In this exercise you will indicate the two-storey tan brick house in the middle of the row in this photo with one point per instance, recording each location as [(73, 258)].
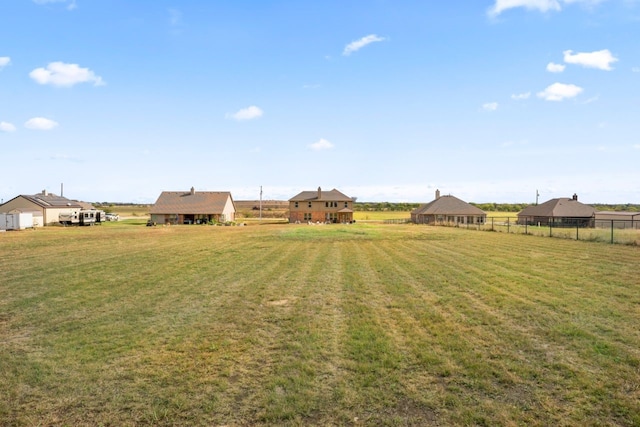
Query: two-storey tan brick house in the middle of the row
[(321, 206)]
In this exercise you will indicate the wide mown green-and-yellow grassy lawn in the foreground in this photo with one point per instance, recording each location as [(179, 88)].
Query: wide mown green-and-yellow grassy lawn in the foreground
[(363, 324)]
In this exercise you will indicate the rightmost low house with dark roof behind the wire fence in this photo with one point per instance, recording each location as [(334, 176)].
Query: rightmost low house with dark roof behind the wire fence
[(560, 212)]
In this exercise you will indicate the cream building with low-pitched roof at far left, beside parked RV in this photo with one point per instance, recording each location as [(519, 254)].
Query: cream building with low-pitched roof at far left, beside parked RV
[(45, 207)]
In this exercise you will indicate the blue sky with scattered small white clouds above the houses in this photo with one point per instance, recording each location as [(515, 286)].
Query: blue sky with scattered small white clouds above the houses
[(488, 100)]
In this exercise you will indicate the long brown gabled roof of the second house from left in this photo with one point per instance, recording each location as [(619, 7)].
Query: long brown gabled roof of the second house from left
[(191, 202)]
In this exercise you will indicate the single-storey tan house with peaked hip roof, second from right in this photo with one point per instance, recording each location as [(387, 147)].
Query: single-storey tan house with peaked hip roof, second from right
[(447, 210)]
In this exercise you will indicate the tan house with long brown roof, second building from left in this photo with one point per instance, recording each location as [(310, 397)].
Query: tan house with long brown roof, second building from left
[(193, 207)]
